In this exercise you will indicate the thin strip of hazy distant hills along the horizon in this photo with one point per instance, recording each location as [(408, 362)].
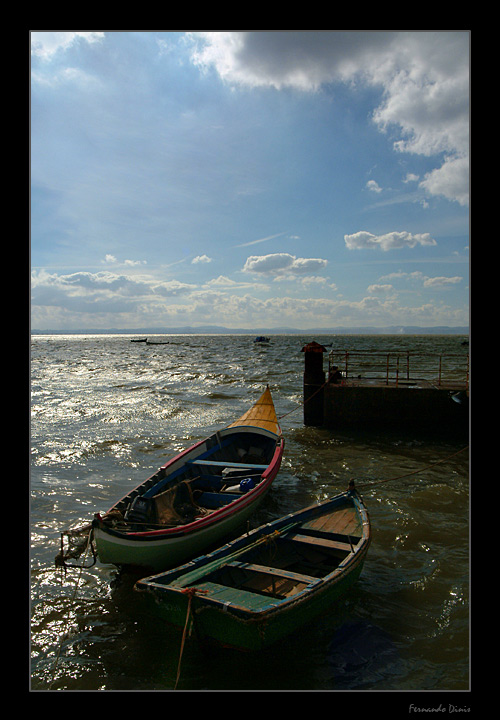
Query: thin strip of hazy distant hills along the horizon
[(216, 329)]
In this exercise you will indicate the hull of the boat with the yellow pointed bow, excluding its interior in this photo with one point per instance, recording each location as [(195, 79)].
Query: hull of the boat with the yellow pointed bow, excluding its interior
[(169, 546)]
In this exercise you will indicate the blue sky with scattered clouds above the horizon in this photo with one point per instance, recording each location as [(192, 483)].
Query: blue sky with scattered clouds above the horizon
[(302, 179)]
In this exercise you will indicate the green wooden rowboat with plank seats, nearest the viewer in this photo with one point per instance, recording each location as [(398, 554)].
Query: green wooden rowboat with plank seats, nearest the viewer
[(264, 585)]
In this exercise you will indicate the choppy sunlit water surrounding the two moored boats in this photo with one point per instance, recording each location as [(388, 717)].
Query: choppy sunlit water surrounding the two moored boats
[(107, 412)]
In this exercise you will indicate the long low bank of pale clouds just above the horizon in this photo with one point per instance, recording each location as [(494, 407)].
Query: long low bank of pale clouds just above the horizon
[(91, 300)]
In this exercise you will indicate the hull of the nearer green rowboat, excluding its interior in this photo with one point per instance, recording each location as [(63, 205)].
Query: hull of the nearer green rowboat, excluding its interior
[(250, 620)]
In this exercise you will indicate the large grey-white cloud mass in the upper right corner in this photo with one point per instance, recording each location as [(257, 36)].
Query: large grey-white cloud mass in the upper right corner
[(424, 78)]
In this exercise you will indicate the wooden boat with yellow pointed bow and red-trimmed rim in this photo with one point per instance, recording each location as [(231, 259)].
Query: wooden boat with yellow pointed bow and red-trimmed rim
[(195, 500)]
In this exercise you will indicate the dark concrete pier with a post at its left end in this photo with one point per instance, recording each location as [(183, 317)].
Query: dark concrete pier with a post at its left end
[(393, 400)]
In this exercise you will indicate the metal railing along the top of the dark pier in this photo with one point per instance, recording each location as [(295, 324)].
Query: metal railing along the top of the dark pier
[(443, 370)]
